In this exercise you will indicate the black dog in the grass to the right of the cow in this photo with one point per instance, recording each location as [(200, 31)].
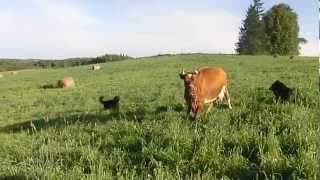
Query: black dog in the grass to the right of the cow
[(281, 91)]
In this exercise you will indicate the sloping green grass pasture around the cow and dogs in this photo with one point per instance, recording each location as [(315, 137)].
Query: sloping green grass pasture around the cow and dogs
[(65, 134)]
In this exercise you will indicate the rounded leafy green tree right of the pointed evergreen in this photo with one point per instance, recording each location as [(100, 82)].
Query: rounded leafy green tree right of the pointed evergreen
[(282, 29)]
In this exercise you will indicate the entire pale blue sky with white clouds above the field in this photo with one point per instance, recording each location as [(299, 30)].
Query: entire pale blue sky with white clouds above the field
[(82, 28)]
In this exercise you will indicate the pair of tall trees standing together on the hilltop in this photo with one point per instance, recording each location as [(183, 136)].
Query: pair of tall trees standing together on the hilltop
[(272, 32)]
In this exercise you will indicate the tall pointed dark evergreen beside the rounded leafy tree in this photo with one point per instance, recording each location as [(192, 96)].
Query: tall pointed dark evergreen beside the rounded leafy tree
[(252, 37)]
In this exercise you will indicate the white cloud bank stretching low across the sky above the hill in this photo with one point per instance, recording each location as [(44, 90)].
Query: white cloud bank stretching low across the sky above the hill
[(60, 30)]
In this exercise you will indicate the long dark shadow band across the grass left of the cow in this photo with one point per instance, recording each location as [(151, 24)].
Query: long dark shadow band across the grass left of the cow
[(138, 115)]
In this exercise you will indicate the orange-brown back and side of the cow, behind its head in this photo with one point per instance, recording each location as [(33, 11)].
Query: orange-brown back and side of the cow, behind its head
[(210, 82)]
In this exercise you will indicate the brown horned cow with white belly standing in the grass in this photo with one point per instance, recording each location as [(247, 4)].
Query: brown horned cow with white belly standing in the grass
[(203, 86)]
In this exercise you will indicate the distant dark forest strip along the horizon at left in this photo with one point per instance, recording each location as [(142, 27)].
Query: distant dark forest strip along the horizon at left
[(18, 64)]
